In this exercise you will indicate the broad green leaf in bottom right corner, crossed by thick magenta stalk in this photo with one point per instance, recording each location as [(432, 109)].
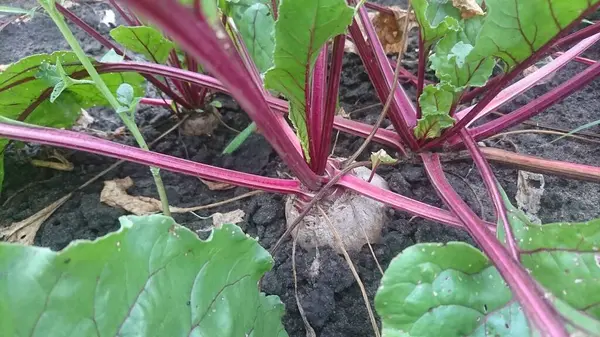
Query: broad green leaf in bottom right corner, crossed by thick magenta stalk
[(454, 290)]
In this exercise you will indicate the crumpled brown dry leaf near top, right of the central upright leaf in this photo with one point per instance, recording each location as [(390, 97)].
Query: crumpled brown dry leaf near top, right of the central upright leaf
[(390, 29)]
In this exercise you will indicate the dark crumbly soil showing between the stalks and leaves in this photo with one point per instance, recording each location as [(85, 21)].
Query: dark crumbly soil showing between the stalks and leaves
[(330, 297)]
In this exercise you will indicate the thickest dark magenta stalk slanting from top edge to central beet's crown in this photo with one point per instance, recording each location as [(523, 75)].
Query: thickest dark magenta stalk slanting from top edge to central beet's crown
[(197, 37)]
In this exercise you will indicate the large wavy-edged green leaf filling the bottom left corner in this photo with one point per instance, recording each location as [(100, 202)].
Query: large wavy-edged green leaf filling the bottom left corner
[(151, 278)]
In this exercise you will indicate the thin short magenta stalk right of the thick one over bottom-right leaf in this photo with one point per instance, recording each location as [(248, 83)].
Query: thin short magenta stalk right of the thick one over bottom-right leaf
[(492, 187)]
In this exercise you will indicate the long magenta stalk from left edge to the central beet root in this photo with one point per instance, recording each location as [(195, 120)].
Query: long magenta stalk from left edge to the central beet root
[(82, 142)]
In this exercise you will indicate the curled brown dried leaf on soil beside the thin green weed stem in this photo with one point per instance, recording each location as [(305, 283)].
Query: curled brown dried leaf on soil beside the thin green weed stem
[(115, 194)]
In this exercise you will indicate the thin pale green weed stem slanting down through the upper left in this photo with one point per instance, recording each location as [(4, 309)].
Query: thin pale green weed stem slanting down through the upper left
[(49, 6)]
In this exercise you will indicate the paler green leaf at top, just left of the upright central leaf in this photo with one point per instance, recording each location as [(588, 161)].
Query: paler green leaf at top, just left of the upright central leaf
[(256, 24)]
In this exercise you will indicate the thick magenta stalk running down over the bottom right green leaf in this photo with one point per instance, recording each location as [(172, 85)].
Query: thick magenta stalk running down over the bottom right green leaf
[(543, 315)]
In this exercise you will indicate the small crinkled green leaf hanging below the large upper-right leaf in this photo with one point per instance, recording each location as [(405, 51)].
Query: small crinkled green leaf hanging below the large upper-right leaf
[(435, 103)]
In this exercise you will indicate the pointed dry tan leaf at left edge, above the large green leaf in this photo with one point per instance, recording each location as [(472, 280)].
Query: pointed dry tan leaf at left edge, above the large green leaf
[(24, 232)]
